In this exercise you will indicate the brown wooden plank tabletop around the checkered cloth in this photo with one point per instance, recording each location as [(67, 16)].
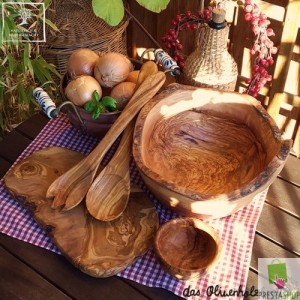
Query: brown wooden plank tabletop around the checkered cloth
[(30, 272)]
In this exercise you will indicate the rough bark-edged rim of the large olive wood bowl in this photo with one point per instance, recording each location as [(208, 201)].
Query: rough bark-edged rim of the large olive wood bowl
[(256, 185)]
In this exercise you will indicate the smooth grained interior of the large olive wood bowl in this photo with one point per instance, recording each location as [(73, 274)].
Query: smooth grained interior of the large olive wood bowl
[(206, 142)]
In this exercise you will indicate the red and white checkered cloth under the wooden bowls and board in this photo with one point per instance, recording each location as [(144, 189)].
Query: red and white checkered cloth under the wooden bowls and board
[(236, 231)]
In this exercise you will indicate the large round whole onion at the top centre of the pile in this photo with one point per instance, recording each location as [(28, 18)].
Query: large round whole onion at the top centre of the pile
[(112, 68)]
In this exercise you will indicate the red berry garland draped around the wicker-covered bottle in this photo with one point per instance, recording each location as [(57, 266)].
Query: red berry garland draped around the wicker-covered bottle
[(262, 50)]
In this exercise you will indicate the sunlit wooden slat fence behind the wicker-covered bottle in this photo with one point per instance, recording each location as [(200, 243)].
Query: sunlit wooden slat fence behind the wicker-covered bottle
[(282, 96)]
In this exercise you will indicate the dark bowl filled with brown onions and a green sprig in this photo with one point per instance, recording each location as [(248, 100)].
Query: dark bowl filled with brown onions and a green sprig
[(105, 74)]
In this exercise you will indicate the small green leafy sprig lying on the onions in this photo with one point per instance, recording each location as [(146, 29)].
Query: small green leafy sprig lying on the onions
[(96, 106)]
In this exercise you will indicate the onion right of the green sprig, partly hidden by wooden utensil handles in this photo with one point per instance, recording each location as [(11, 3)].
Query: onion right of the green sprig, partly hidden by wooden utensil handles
[(122, 93)]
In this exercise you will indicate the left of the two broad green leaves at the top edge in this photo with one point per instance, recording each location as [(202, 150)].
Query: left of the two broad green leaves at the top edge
[(111, 11)]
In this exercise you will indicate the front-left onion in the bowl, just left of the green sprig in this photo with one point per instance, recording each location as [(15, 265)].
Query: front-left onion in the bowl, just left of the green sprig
[(80, 90)]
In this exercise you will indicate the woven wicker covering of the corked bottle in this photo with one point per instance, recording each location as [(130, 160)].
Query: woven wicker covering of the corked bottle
[(211, 65)]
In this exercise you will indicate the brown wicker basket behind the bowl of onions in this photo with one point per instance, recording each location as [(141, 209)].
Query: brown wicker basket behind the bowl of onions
[(80, 28)]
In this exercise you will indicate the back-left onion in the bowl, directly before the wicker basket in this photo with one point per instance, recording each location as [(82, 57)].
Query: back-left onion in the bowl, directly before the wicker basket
[(82, 62)]
